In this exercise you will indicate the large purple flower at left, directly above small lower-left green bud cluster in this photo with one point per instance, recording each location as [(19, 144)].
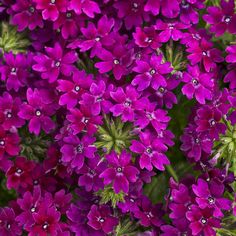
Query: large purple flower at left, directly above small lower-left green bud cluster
[(38, 111)]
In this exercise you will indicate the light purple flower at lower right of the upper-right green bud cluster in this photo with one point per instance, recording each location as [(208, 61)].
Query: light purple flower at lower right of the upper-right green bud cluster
[(198, 84)]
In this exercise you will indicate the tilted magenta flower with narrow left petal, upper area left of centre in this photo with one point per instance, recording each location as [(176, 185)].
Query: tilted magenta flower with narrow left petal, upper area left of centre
[(96, 38)]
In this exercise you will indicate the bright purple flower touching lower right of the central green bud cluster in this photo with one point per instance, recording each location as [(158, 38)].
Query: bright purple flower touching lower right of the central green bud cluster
[(151, 151)]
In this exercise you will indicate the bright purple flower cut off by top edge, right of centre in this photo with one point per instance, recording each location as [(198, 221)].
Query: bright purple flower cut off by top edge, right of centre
[(169, 8)]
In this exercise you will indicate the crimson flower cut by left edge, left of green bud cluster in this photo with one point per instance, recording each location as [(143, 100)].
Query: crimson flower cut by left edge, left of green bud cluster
[(9, 143)]
